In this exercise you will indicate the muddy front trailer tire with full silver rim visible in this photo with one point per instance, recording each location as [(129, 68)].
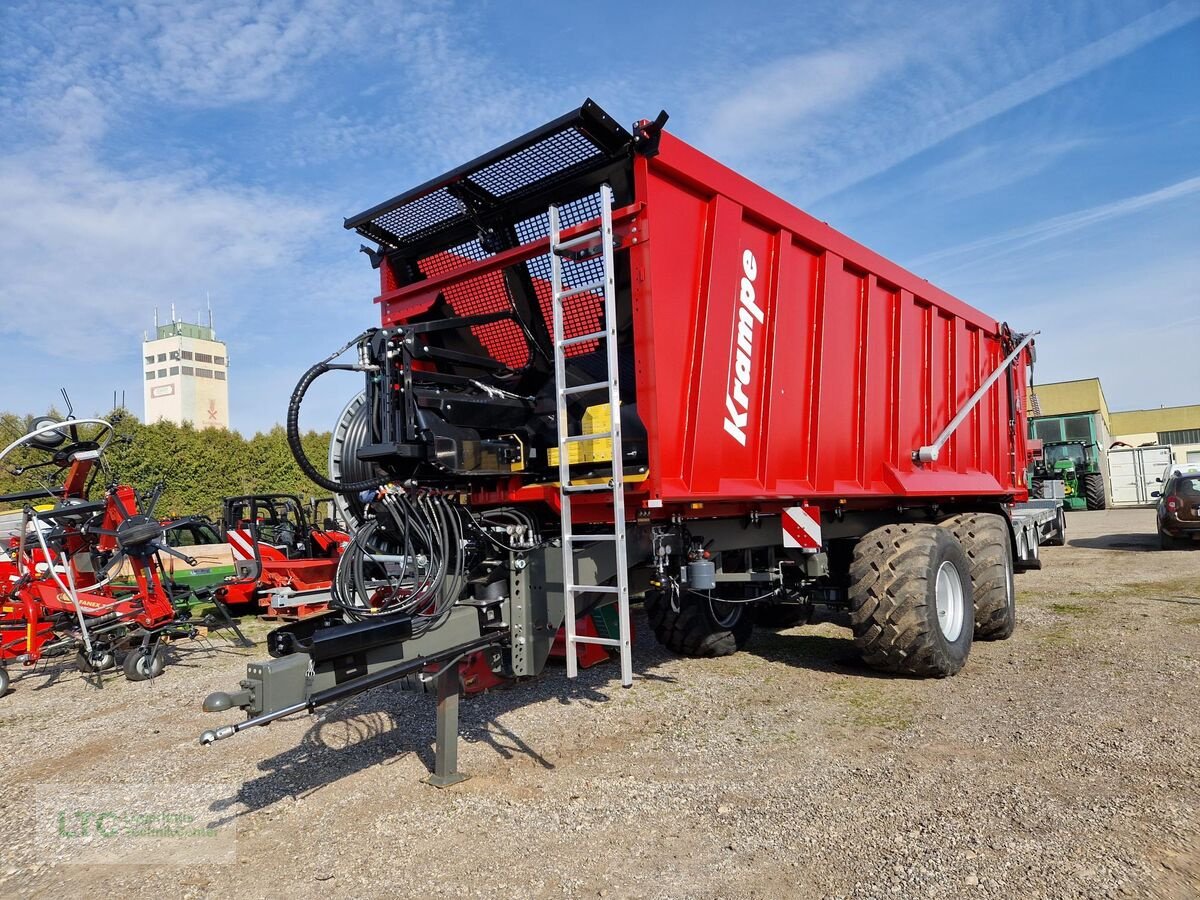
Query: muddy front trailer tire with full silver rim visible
[(911, 607)]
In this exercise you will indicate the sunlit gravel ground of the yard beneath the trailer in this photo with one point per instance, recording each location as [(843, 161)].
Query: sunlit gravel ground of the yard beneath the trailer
[(1060, 764)]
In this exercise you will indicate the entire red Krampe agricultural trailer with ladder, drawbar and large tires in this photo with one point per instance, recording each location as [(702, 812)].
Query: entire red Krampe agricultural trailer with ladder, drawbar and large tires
[(609, 367)]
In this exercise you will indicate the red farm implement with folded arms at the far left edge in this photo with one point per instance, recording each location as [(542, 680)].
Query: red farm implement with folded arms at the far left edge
[(59, 592)]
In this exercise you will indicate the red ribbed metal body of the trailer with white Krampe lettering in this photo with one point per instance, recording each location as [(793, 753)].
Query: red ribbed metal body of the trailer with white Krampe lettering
[(777, 361)]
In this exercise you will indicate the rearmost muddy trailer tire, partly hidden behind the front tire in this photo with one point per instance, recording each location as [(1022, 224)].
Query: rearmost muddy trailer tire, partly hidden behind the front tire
[(985, 539)]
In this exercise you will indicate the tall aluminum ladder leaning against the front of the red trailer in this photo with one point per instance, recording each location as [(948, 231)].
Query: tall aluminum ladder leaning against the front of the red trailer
[(575, 250)]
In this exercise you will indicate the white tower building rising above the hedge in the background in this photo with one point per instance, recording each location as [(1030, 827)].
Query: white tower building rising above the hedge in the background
[(185, 374)]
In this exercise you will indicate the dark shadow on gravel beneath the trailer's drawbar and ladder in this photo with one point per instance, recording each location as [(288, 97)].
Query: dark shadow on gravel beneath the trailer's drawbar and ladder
[(381, 727)]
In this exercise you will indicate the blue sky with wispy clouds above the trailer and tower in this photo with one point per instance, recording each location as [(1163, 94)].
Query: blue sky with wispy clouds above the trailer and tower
[(1042, 161)]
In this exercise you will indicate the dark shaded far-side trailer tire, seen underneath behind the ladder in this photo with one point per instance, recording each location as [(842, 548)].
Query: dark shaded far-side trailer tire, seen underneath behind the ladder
[(699, 627)]
